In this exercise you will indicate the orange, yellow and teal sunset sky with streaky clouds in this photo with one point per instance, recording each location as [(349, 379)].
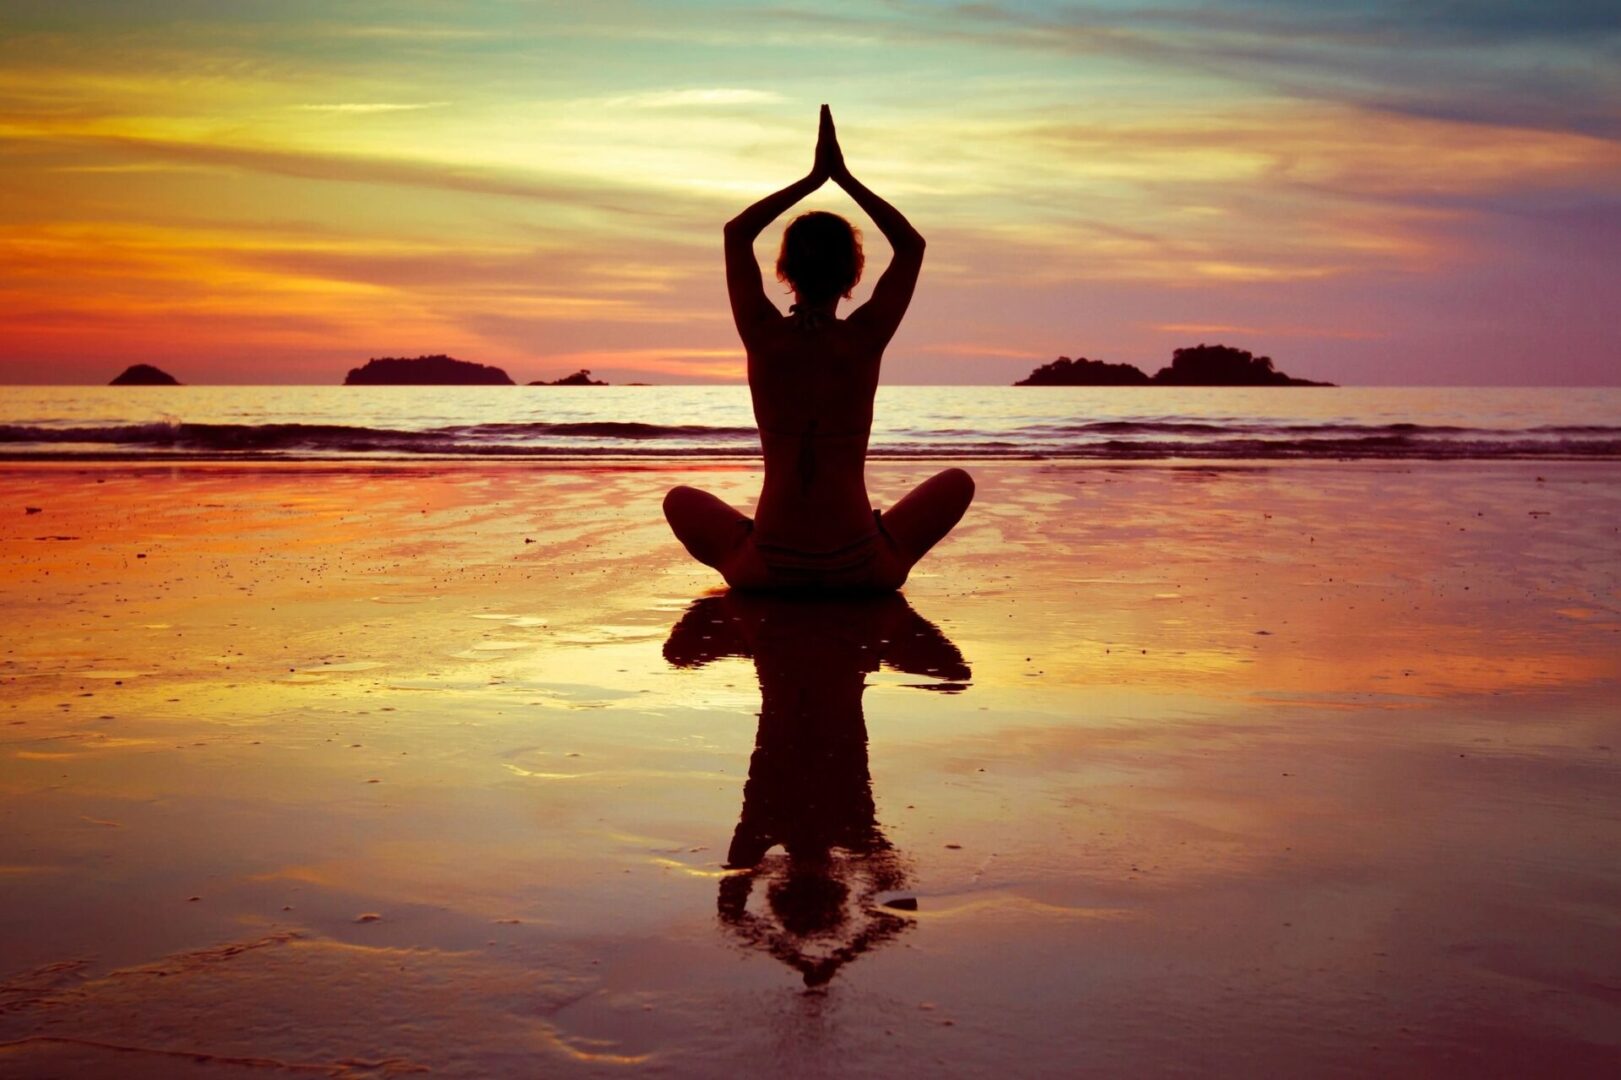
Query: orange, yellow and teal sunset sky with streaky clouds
[(1374, 192)]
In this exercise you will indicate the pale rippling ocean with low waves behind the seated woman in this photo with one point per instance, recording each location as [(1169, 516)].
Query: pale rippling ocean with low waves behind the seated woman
[(685, 422)]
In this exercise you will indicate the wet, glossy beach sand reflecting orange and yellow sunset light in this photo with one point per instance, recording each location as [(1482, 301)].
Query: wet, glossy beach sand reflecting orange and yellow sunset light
[(1158, 771)]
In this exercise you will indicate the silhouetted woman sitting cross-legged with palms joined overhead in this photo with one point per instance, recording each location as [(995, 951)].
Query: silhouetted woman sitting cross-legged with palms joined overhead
[(813, 379)]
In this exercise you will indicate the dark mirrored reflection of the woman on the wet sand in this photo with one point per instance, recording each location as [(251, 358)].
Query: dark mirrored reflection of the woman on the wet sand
[(832, 894)]
